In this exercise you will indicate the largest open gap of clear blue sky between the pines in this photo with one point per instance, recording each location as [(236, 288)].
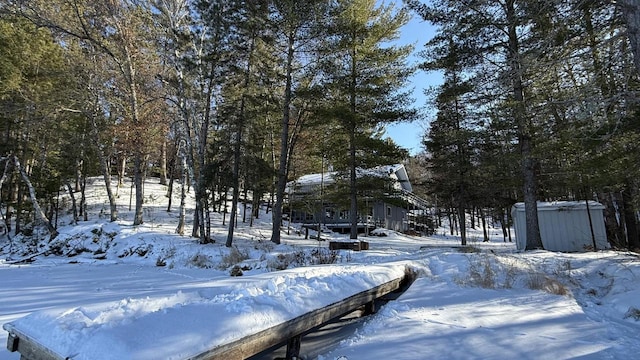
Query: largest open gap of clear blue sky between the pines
[(409, 135)]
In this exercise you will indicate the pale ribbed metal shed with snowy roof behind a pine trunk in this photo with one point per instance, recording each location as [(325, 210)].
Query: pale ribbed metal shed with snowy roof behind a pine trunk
[(564, 226)]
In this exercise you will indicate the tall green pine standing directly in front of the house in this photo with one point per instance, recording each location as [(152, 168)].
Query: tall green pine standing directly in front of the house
[(364, 75)]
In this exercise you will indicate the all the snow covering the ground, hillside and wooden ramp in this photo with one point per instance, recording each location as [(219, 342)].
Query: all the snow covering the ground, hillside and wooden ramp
[(485, 301)]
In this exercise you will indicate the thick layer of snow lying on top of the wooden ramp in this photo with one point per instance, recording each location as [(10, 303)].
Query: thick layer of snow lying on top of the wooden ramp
[(217, 313)]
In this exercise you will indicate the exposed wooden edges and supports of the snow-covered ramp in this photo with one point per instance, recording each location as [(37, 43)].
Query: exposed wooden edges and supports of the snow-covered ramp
[(289, 332)]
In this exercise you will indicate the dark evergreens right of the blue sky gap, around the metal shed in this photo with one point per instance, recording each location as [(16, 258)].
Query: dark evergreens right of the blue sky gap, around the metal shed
[(539, 102)]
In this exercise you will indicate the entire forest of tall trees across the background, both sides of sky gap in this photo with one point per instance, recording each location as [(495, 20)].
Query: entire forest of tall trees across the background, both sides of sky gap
[(231, 98)]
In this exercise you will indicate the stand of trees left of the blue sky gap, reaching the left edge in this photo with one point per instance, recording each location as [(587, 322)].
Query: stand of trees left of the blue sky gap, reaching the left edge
[(229, 98)]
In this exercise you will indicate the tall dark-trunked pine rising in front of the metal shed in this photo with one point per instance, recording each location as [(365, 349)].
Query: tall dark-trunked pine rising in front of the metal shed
[(495, 30)]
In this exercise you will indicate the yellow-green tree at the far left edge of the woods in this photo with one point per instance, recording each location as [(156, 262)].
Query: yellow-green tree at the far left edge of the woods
[(32, 82)]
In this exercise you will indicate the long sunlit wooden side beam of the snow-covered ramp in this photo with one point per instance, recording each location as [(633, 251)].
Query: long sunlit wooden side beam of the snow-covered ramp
[(256, 343)]
